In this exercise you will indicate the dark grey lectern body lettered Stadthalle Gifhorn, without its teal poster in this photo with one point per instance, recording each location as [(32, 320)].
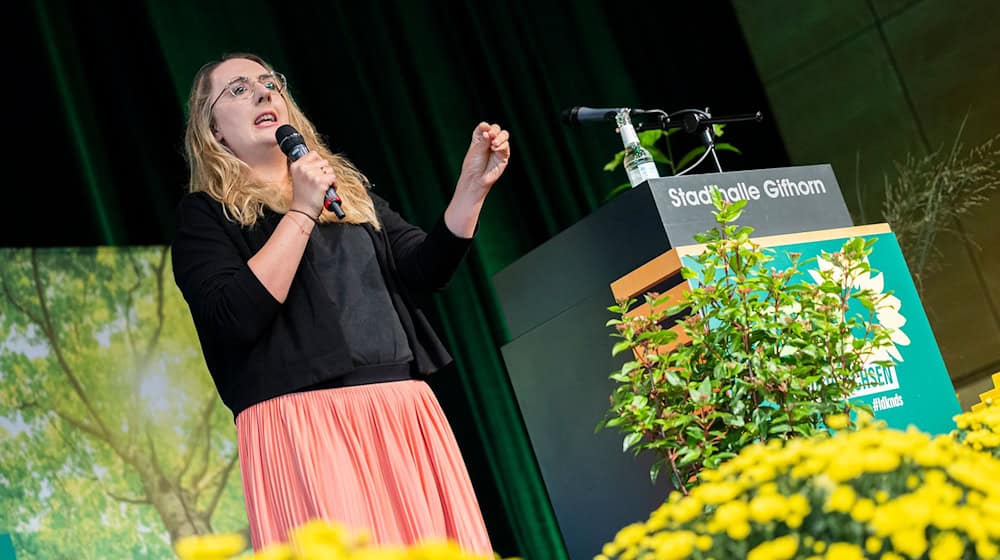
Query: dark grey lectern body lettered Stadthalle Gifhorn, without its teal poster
[(555, 301)]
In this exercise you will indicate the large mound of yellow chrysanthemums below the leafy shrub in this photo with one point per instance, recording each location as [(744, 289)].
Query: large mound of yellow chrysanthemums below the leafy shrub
[(873, 493)]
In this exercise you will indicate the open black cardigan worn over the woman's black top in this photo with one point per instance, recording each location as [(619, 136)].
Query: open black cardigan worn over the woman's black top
[(257, 348)]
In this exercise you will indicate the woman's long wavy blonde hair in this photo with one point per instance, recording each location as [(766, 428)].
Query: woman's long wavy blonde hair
[(226, 178)]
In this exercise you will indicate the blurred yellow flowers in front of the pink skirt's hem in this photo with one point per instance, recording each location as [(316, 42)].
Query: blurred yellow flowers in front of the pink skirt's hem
[(318, 540)]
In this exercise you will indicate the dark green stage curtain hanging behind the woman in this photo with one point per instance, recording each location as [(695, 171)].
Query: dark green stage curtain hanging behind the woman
[(398, 86)]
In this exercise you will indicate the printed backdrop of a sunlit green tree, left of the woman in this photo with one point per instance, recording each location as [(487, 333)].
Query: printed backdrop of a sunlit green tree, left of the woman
[(113, 442)]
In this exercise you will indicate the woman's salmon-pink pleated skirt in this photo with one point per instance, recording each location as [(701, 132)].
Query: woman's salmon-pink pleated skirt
[(379, 458)]
